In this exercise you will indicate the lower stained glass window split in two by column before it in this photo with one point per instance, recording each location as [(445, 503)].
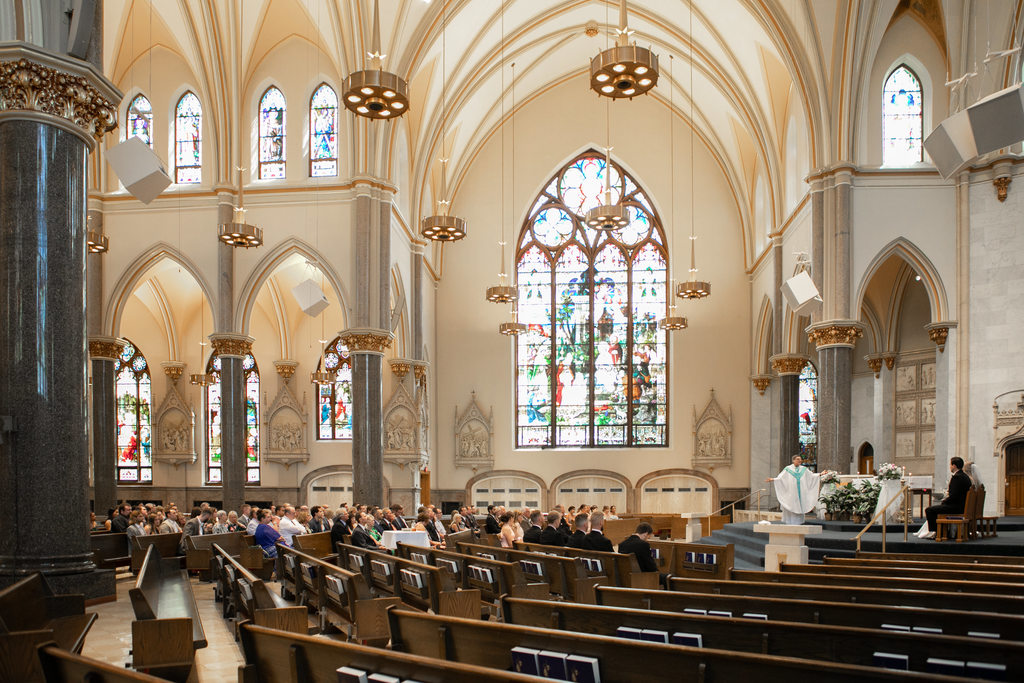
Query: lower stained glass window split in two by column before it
[(214, 421)]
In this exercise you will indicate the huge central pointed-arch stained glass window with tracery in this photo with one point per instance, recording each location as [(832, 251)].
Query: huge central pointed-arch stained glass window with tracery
[(592, 365)]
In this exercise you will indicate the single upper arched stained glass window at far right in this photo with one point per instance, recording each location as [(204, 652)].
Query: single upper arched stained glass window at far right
[(903, 119)]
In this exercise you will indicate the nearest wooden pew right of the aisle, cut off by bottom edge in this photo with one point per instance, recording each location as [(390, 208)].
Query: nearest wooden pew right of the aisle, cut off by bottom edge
[(274, 657)]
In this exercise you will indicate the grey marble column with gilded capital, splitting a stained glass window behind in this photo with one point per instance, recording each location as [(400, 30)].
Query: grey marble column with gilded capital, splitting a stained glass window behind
[(232, 350)]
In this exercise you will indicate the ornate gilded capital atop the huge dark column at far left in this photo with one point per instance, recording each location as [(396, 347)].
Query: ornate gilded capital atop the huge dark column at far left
[(62, 92)]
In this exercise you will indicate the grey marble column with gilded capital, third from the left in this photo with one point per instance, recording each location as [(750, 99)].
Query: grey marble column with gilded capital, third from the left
[(367, 349)]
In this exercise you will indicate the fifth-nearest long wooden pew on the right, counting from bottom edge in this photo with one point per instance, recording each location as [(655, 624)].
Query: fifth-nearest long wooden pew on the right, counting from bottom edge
[(882, 596)]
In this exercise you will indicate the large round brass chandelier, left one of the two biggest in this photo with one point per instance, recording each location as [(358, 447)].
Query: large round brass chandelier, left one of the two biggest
[(375, 94)]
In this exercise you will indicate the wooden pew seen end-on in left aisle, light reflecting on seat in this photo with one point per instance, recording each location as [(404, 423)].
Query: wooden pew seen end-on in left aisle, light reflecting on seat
[(167, 629)]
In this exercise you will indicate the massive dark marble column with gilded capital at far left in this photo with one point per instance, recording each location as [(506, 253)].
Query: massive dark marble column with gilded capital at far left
[(52, 109)]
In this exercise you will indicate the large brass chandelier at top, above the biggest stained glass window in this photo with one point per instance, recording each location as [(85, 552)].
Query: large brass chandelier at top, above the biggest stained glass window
[(624, 71)]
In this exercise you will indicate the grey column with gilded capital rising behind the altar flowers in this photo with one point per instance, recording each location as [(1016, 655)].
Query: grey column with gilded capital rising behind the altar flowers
[(835, 341)]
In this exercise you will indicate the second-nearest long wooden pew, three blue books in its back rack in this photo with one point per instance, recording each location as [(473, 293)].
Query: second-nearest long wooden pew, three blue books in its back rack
[(621, 660)]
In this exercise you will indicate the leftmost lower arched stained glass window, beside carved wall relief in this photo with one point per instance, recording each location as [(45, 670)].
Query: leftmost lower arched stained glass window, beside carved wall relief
[(135, 408)]
